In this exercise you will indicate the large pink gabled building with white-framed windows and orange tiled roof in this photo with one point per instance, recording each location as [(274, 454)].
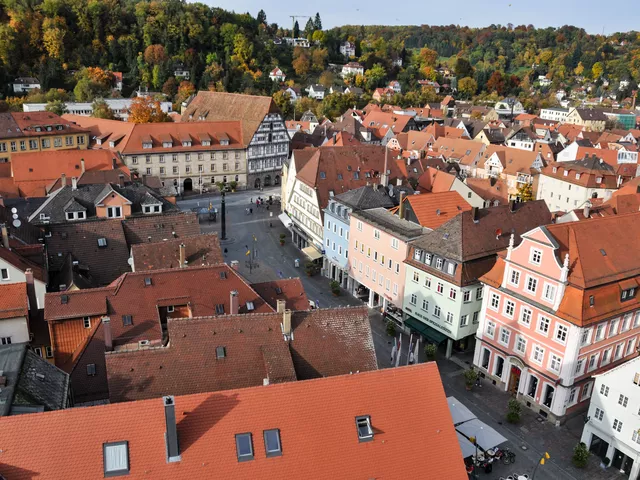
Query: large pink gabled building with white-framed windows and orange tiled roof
[(559, 308)]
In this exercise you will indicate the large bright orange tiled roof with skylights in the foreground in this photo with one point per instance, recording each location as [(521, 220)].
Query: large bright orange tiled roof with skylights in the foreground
[(315, 419)]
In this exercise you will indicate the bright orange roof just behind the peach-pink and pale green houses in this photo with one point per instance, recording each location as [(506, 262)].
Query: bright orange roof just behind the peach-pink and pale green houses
[(434, 209)]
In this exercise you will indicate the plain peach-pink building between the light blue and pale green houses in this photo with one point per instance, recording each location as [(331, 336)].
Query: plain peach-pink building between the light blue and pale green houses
[(378, 246)]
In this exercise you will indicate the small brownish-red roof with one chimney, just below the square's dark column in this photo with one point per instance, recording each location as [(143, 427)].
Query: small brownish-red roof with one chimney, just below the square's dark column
[(200, 250)]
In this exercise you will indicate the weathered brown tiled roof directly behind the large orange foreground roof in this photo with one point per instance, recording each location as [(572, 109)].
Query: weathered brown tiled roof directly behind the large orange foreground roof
[(325, 343)]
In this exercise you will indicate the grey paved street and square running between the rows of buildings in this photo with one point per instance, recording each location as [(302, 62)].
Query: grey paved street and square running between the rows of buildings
[(529, 439)]
